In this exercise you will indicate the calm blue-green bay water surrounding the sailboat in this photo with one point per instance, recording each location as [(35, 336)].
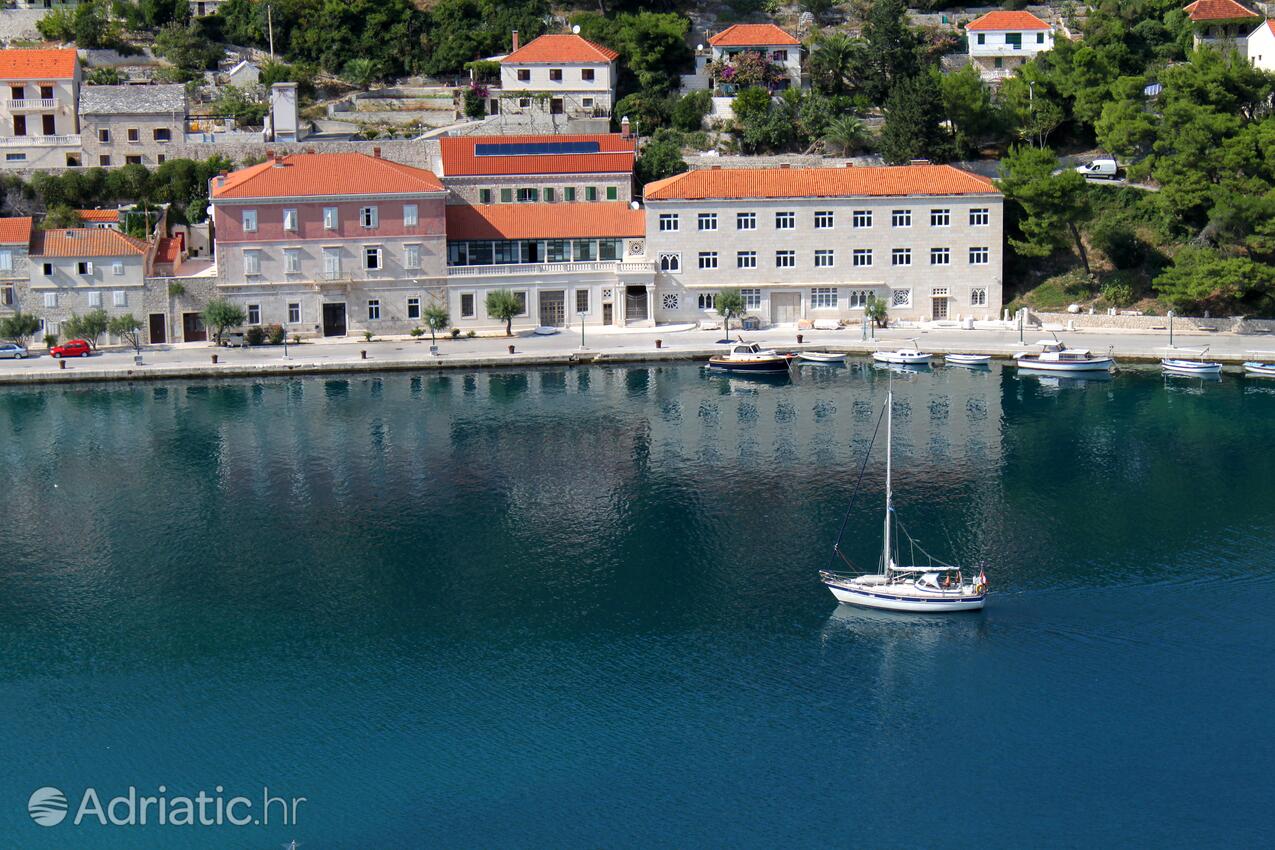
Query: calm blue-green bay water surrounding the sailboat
[(581, 609)]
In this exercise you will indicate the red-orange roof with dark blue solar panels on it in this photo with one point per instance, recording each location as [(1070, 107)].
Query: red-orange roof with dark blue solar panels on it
[(616, 156)]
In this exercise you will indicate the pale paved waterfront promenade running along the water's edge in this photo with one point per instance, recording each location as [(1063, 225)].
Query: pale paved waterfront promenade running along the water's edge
[(194, 360)]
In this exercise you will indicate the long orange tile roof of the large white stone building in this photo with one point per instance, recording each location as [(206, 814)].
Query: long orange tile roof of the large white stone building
[(730, 184)]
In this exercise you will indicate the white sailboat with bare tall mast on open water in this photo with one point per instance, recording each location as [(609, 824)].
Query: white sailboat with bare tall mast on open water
[(934, 588)]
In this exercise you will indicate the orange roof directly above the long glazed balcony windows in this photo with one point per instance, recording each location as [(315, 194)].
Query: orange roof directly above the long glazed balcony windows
[(611, 220)]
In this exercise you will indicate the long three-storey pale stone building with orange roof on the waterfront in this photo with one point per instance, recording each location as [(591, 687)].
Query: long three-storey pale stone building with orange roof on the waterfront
[(810, 244)]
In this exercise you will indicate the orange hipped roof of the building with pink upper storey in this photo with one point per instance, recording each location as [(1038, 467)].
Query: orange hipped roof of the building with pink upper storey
[(305, 175)]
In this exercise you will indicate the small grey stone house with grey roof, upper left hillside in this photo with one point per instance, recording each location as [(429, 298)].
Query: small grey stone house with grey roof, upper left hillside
[(132, 124)]
